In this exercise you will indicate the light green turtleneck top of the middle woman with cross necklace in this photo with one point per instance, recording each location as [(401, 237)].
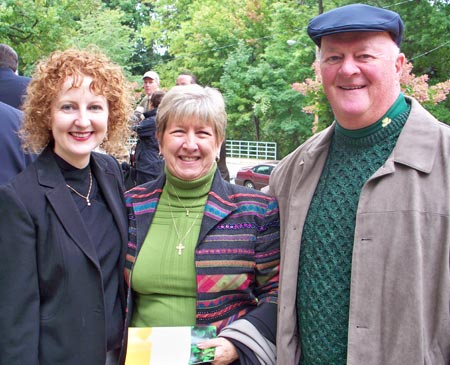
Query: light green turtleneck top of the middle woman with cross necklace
[(164, 279)]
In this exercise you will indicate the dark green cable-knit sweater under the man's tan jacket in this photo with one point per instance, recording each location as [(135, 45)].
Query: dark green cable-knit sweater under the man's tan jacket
[(327, 243)]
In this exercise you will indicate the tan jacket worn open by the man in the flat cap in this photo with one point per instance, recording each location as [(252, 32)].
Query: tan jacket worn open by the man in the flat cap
[(400, 284)]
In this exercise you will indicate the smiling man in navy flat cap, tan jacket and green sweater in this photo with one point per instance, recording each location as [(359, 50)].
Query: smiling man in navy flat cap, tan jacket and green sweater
[(365, 207)]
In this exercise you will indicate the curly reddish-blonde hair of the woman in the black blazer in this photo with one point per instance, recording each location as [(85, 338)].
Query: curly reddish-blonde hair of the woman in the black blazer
[(48, 80)]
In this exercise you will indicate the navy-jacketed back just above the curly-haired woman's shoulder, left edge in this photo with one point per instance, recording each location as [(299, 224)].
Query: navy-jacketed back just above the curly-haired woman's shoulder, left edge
[(13, 159)]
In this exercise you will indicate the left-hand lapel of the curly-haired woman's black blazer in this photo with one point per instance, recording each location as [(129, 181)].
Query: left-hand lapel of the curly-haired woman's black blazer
[(60, 199)]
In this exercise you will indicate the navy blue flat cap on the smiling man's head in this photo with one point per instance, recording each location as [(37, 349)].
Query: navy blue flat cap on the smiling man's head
[(356, 18)]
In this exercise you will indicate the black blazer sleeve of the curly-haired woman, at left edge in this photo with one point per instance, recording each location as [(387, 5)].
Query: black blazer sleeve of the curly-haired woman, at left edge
[(19, 285)]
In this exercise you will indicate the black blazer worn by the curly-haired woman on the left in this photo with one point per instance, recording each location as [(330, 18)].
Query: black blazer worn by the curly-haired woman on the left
[(51, 289)]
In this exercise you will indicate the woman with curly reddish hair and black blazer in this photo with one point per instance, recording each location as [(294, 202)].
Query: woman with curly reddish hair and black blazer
[(63, 229)]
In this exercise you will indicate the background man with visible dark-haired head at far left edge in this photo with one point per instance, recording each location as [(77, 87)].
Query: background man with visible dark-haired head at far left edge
[(12, 86)]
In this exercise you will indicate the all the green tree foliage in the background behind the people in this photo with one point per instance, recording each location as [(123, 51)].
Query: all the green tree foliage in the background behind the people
[(256, 52)]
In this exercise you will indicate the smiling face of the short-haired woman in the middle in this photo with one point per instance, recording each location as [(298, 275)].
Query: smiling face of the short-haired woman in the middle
[(190, 148)]
